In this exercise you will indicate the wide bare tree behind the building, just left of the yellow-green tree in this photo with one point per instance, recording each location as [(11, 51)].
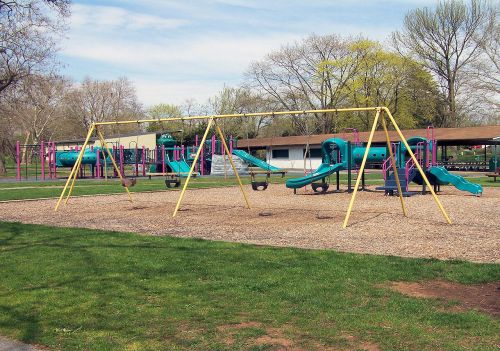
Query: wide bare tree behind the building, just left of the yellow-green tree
[(291, 77)]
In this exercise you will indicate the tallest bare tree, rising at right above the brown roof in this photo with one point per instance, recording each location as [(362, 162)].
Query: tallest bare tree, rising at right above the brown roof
[(447, 40)]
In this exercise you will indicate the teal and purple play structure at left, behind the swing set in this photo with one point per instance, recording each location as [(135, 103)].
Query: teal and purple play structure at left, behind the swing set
[(44, 160)]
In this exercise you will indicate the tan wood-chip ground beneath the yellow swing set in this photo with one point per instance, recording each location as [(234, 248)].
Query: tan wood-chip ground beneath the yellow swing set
[(280, 218)]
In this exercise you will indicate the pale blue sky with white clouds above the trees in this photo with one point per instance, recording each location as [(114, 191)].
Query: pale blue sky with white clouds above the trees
[(174, 50)]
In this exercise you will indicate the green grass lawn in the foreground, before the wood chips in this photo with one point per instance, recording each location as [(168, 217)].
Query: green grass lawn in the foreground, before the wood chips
[(80, 289)]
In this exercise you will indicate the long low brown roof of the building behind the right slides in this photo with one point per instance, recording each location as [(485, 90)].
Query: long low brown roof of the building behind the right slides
[(482, 135)]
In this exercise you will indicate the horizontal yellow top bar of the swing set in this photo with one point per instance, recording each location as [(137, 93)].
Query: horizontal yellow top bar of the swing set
[(236, 115)]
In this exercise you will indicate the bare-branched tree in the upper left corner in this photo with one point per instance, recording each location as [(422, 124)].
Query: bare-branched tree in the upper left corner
[(28, 33)]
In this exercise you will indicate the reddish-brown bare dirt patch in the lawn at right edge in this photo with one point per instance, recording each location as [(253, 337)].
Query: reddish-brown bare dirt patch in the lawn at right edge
[(480, 297)]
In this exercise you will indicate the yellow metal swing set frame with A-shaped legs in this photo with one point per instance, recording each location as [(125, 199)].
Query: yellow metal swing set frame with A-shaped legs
[(380, 116)]
